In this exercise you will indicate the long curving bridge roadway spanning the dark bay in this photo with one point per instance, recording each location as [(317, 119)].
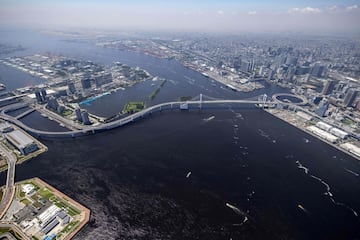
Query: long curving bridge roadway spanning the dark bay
[(118, 123)]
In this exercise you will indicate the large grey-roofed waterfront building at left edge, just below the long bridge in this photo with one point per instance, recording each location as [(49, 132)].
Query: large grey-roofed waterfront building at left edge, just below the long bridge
[(21, 141)]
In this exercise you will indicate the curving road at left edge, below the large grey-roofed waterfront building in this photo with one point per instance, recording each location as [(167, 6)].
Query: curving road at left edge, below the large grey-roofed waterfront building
[(10, 180)]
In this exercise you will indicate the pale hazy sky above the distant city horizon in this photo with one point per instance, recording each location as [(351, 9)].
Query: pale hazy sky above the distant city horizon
[(195, 15)]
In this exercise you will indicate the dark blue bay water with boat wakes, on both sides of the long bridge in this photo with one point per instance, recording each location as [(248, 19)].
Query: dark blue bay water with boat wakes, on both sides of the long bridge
[(134, 179)]
